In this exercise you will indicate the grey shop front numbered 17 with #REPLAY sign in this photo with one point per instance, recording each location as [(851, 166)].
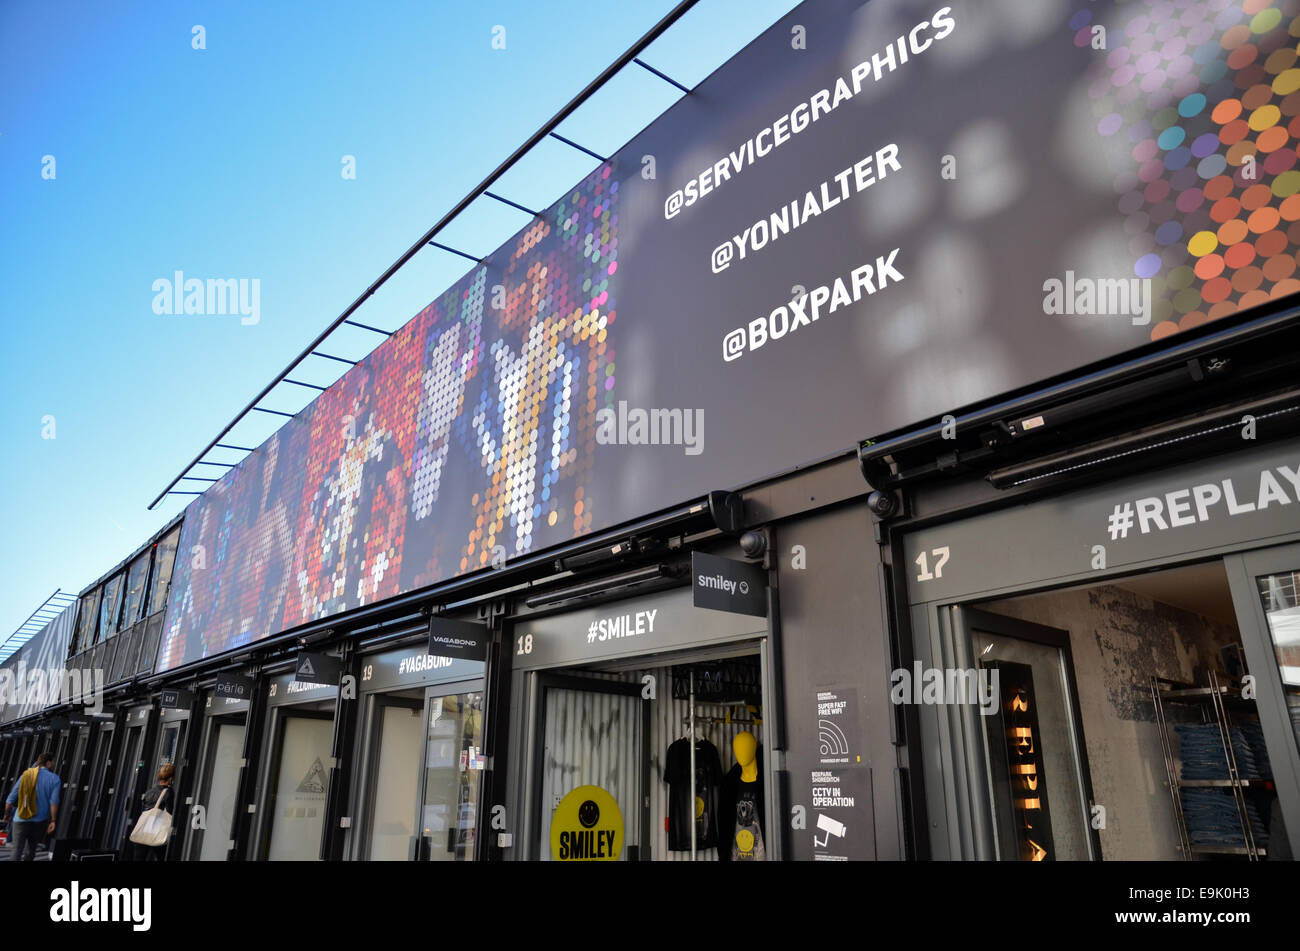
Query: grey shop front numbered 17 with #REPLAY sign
[(1113, 672)]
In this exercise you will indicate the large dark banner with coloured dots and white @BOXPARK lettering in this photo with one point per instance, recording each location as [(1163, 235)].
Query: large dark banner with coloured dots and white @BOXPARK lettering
[(876, 215)]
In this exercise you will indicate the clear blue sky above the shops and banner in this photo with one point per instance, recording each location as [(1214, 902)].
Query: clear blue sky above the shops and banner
[(226, 163)]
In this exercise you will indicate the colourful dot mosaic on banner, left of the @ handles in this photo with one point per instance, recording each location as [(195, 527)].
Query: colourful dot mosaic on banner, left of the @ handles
[(466, 438)]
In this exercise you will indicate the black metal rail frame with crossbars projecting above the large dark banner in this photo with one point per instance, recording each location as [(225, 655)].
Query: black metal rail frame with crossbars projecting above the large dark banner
[(427, 241)]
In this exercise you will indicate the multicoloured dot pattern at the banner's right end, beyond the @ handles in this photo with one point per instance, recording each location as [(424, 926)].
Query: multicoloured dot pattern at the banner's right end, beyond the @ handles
[(1201, 99)]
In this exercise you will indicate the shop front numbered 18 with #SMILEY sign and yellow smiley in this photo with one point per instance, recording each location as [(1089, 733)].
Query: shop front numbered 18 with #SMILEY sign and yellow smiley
[(639, 729)]
